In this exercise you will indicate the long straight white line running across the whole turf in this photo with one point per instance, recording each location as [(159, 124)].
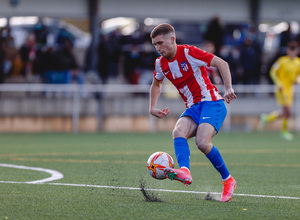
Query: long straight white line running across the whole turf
[(157, 190)]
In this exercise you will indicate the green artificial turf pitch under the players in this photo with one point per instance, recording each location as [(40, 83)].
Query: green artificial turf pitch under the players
[(96, 167)]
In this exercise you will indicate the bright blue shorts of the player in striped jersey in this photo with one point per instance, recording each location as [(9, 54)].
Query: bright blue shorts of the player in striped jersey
[(211, 112)]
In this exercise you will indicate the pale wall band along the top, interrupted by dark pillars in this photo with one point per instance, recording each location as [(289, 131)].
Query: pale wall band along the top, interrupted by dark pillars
[(228, 10)]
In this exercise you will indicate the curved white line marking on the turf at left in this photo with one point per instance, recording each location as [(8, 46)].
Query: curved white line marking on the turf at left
[(55, 175)]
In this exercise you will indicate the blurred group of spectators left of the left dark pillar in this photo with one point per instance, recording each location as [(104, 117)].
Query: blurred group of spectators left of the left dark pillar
[(35, 60)]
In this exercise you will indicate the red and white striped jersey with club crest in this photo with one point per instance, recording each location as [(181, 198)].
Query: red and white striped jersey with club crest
[(187, 72)]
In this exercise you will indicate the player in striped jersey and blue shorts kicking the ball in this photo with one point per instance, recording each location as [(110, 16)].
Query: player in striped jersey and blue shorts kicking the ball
[(184, 66)]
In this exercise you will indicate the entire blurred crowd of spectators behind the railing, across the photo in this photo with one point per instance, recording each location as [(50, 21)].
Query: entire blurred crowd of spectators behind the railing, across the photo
[(129, 58)]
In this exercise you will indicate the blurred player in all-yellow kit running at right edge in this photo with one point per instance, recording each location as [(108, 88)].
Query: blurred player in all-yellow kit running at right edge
[(284, 73)]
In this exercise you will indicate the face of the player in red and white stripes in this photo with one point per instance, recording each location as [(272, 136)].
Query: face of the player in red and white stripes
[(165, 45)]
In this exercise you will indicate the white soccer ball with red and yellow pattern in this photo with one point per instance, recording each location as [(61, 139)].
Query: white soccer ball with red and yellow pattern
[(157, 162)]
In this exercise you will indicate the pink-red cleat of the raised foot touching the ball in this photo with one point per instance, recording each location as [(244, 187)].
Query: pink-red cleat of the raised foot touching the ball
[(181, 175)]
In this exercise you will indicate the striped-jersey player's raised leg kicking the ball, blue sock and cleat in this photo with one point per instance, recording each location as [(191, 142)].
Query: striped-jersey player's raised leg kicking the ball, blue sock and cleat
[(184, 129)]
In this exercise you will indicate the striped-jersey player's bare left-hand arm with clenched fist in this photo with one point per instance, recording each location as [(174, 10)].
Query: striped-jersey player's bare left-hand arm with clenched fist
[(155, 91)]
